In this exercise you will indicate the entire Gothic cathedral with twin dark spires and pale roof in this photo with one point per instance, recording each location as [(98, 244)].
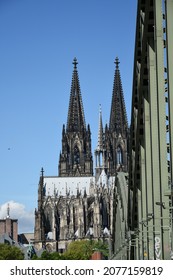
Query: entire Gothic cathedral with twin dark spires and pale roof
[(79, 202)]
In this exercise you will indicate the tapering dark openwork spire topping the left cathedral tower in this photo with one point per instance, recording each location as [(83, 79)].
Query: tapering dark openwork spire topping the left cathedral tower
[(76, 118)]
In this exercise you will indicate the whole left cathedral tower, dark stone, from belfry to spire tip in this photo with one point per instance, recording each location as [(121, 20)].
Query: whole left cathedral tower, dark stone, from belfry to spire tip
[(76, 156)]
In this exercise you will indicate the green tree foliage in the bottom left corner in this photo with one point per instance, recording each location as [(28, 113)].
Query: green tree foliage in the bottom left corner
[(8, 252)]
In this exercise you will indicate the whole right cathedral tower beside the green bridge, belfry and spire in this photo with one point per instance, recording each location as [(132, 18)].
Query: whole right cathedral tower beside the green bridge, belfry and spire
[(116, 135)]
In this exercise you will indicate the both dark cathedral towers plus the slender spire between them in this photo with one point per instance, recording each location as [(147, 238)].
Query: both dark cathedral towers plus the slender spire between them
[(76, 156)]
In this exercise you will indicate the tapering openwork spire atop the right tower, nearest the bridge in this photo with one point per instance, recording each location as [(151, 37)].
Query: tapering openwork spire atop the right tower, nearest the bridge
[(118, 116)]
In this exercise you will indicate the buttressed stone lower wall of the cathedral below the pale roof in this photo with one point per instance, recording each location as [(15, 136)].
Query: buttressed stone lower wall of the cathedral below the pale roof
[(69, 217)]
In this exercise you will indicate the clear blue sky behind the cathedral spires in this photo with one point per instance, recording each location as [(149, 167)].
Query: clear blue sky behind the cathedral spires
[(39, 39)]
